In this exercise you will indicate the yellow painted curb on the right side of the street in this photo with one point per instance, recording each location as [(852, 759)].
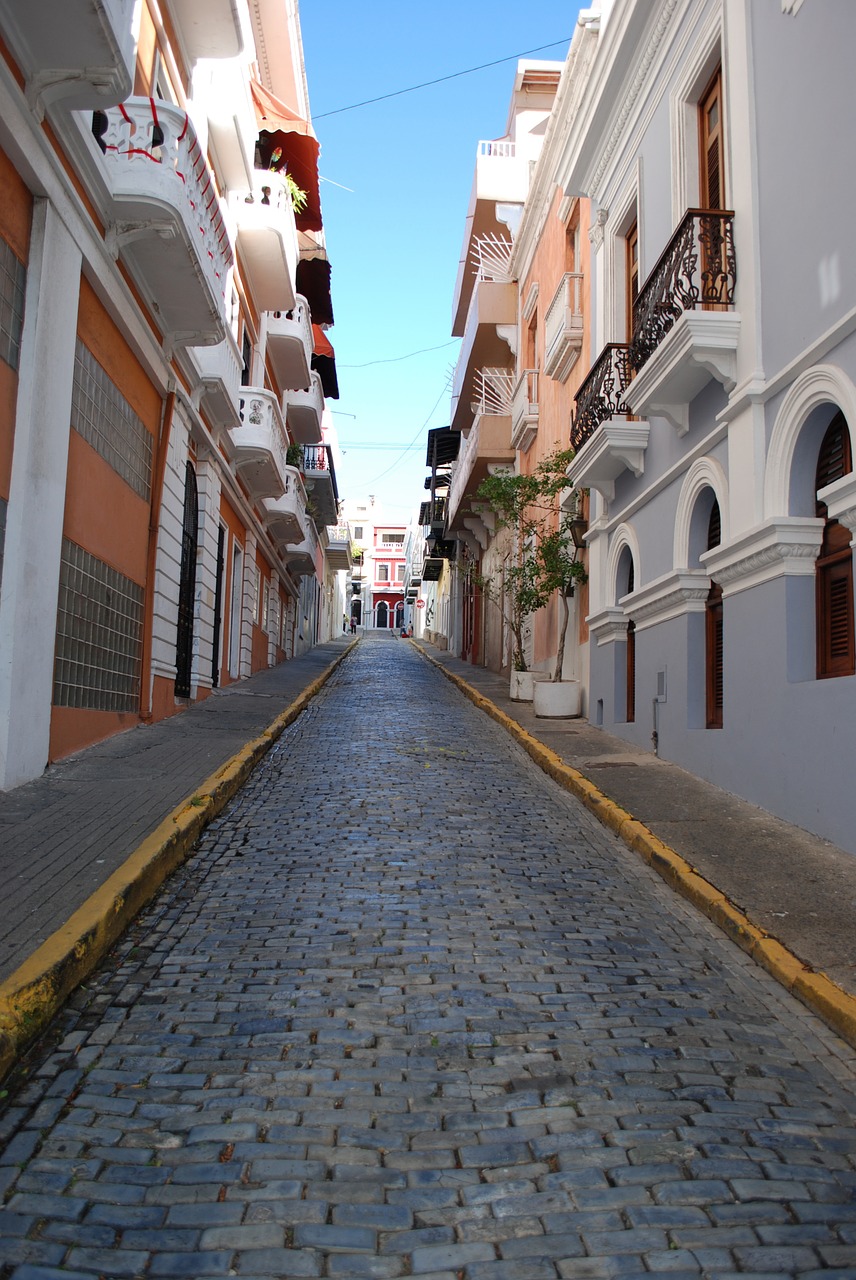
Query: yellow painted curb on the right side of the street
[(821, 994)]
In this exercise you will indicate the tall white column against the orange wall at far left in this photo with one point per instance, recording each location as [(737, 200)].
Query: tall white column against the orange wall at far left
[(38, 499)]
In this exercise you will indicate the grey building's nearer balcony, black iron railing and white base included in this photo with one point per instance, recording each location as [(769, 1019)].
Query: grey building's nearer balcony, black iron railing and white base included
[(685, 328)]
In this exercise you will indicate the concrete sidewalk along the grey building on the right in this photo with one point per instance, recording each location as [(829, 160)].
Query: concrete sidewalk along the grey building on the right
[(790, 885)]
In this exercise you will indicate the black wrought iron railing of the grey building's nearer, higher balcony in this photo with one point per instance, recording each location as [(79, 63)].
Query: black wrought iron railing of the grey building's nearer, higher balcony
[(695, 272)]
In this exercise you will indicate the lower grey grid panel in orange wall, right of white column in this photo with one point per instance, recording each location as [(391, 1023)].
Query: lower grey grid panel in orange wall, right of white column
[(99, 636)]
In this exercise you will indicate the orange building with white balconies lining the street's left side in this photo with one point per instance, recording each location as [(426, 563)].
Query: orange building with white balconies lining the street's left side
[(167, 461)]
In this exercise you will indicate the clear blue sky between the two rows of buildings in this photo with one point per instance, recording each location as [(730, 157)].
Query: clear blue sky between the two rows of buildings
[(396, 236)]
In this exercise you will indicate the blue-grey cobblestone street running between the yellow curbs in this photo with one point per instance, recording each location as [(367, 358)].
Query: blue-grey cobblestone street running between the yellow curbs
[(413, 1012)]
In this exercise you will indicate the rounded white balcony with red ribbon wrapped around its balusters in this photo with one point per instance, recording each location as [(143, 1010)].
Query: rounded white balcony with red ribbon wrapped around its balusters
[(164, 217)]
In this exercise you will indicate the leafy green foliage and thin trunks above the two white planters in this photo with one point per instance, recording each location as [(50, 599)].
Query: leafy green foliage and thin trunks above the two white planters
[(546, 555)]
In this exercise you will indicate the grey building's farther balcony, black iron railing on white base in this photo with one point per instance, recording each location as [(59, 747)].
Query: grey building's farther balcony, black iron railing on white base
[(605, 440)]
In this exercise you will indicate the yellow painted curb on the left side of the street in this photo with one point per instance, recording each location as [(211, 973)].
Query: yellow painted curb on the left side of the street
[(33, 995)]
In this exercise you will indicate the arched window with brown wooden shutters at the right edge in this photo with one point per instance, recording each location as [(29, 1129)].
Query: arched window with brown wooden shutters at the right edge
[(835, 565)]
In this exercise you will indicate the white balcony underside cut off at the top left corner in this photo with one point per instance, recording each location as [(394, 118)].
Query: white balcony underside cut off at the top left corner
[(77, 52)]
